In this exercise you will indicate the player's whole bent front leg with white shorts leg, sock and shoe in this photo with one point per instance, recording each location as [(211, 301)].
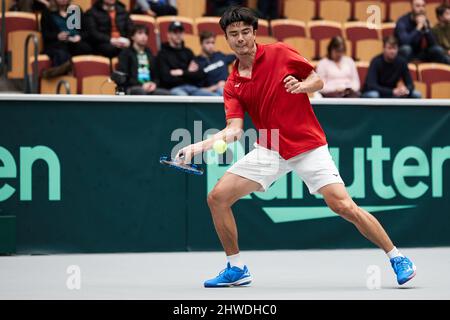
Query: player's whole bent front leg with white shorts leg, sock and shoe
[(255, 172)]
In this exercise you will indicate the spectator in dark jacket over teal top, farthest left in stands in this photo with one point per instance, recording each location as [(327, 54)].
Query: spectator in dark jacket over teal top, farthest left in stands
[(61, 39)]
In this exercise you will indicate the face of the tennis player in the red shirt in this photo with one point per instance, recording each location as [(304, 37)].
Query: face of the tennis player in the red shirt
[(241, 38)]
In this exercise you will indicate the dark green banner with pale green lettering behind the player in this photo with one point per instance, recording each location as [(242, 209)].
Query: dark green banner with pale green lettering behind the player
[(84, 176)]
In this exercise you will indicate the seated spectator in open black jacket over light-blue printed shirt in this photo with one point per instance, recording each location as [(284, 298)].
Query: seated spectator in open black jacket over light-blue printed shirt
[(139, 64)]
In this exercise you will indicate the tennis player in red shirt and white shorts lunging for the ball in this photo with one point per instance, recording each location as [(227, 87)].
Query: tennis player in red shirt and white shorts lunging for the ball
[(270, 83)]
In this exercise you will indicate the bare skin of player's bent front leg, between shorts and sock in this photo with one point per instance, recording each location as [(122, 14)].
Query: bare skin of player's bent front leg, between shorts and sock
[(227, 191)]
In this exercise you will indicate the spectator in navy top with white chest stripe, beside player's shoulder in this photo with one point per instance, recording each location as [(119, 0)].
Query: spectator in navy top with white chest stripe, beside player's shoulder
[(213, 63)]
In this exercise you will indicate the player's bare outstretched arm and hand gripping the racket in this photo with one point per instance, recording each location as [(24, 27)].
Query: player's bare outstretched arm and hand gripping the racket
[(232, 132)]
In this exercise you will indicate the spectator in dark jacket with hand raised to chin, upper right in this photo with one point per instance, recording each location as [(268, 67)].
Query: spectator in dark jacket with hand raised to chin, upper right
[(415, 36)]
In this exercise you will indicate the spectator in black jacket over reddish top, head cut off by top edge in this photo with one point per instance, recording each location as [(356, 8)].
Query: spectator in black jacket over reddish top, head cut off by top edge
[(109, 26)]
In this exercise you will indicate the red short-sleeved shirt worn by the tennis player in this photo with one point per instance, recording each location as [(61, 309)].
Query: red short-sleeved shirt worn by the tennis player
[(265, 99)]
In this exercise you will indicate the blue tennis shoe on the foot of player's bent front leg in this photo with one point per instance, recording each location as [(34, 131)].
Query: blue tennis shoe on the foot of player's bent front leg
[(230, 277)]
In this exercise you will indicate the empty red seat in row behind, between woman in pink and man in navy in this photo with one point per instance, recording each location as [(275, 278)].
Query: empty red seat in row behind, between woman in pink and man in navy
[(358, 31)]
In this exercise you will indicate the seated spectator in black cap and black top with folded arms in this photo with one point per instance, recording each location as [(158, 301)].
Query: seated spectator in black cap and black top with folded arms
[(178, 71)]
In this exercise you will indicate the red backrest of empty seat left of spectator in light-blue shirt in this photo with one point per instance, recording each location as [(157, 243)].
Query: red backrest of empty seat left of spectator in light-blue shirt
[(90, 65)]
